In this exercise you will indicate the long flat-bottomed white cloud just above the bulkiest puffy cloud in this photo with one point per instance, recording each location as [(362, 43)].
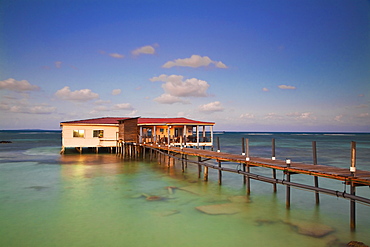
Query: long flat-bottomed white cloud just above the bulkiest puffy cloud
[(194, 61)]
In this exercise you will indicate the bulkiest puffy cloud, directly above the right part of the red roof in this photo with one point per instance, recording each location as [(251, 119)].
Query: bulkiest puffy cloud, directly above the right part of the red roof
[(175, 85)]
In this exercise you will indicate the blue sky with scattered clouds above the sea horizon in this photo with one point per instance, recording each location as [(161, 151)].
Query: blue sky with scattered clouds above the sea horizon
[(246, 65)]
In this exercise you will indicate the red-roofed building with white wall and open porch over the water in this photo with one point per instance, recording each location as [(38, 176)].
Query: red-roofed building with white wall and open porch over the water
[(110, 131)]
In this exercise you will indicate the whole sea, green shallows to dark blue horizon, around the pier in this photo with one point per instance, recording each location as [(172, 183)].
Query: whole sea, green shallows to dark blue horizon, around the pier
[(48, 199)]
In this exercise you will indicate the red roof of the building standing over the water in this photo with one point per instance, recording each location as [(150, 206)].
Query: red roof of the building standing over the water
[(141, 121)]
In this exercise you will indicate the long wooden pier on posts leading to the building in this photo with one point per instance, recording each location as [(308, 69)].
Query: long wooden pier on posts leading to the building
[(244, 163)]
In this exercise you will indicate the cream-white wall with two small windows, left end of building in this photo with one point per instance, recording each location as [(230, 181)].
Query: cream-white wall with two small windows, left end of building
[(108, 140)]
